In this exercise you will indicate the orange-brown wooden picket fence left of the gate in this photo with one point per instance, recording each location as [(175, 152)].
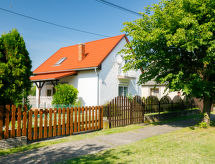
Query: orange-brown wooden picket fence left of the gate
[(41, 124)]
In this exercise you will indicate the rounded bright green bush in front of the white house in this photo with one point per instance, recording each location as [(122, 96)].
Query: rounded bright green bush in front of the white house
[(65, 94)]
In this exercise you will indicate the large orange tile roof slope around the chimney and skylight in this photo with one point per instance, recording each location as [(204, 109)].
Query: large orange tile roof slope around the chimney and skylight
[(96, 52)]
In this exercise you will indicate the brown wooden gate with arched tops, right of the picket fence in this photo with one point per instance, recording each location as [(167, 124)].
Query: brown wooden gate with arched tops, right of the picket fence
[(123, 111)]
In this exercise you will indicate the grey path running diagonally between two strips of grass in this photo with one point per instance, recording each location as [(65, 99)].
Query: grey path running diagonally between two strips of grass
[(68, 150)]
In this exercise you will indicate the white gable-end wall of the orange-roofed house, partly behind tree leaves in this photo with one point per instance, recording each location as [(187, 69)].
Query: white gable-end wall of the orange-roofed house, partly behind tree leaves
[(108, 77)]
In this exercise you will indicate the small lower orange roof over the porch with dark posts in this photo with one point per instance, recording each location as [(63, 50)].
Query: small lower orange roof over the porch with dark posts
[(51, 76)]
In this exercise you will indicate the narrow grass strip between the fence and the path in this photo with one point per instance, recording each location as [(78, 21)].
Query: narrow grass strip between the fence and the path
[(84, 136)]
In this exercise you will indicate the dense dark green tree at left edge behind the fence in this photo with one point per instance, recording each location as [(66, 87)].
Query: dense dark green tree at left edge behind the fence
[(15, 68)]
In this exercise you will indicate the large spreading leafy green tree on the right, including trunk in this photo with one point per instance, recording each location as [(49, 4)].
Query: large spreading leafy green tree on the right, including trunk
[(174, 43)]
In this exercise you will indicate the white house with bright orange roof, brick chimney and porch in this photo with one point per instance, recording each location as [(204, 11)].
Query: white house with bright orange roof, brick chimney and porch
[(94, 68)]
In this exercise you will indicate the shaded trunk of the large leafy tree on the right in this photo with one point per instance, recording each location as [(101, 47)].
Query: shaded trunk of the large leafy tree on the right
[(207, 104)]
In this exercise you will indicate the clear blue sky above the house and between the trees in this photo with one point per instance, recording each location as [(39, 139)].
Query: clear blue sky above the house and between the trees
[(42, 40)]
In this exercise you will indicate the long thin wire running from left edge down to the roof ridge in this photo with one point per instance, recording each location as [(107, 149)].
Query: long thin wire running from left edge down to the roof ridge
[(51, 23)]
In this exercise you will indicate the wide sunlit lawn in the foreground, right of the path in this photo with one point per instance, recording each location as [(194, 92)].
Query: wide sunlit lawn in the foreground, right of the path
[(181, 146)]
